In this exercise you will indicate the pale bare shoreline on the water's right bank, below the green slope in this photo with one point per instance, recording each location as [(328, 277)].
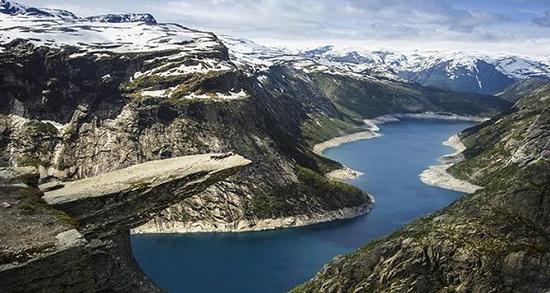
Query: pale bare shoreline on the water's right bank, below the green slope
[(437, 175)]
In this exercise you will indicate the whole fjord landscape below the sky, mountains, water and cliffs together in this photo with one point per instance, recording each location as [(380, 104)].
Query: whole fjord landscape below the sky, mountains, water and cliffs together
[(276, 158)]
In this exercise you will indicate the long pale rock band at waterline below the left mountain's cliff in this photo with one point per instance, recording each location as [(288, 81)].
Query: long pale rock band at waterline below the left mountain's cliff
[(254, 225)]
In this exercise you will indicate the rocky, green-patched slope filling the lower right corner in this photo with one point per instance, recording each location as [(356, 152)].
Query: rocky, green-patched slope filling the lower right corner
[(495, 240)]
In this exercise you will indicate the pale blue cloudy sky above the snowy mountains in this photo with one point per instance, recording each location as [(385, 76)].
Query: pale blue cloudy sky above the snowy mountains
[(514, 26)]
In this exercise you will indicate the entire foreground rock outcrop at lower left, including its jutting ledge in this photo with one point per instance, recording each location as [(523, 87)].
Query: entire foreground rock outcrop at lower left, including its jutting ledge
[(75, 237)]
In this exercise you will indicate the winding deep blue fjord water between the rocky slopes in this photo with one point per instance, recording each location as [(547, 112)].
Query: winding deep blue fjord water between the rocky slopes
[(275, 261)]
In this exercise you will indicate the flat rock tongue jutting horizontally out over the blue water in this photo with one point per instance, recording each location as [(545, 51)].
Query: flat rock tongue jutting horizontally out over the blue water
[(126, 198)]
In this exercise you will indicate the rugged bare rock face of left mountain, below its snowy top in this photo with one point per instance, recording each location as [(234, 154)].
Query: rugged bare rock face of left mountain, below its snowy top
[(107, 123)]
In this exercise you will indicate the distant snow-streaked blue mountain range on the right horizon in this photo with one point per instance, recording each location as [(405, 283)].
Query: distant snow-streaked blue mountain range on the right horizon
[(476, 72)]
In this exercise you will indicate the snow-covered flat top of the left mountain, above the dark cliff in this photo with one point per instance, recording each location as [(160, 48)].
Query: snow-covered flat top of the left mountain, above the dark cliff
[(113, 33)]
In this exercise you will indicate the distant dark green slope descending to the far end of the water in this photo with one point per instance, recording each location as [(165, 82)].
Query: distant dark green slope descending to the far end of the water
[(368, 98)]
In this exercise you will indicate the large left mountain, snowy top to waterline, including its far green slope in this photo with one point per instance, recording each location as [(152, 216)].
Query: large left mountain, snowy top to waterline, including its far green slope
[(110, 94)]
